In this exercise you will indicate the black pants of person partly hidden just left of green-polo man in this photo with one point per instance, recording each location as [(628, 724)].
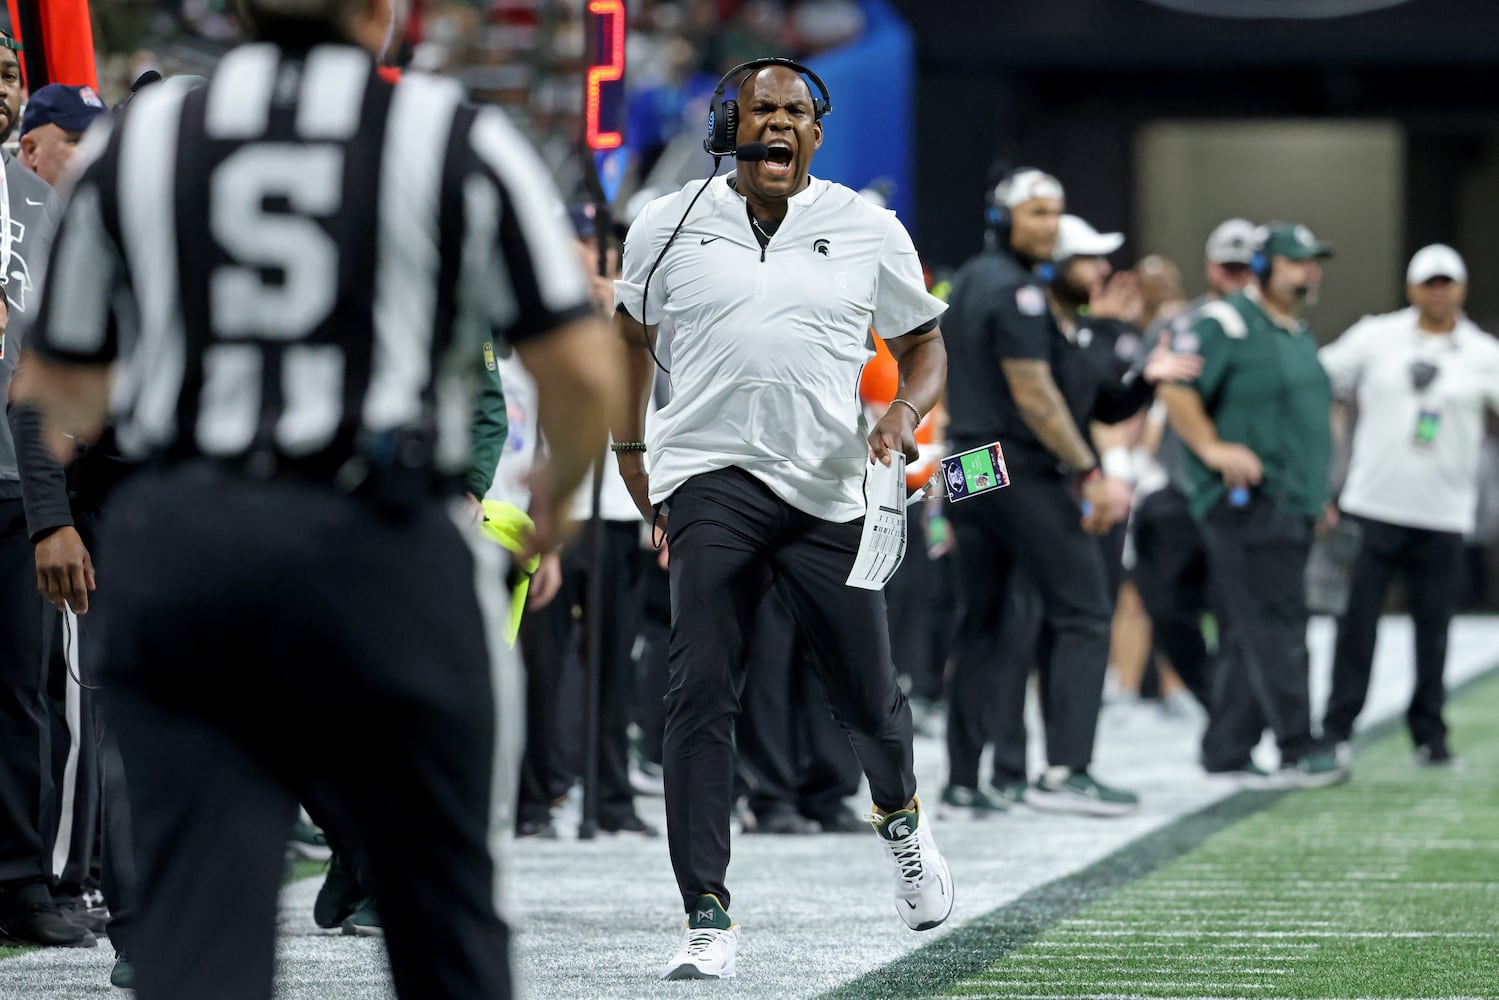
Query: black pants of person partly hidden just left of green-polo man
[(1171, 573)]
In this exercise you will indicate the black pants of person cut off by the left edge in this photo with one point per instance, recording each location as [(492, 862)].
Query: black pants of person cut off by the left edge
[(25, 732)]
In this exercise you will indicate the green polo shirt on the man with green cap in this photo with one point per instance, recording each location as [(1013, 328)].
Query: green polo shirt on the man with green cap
[(1264, 388)]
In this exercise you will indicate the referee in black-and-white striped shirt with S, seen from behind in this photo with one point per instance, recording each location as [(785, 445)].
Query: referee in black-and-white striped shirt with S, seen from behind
[(290, 272)]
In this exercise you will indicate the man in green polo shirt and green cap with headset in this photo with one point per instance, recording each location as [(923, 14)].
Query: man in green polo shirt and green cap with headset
[(1257, 427)]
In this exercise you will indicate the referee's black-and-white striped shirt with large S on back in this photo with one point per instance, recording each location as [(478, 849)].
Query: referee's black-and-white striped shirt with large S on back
[(301, 260)]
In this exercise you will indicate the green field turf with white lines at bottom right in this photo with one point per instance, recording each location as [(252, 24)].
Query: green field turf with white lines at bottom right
[(1387, 887)]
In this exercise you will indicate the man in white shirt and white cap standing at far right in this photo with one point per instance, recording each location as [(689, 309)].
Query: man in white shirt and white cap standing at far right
[(1423, 379)]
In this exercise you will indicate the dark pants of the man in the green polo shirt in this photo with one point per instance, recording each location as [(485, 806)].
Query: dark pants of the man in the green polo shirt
[(1258, 557)]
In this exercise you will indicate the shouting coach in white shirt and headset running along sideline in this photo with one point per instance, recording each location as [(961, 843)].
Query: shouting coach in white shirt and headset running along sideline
[(762, 454)]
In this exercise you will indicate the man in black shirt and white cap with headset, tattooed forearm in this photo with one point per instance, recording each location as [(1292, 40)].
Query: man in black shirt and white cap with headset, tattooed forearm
[(1017, 379)]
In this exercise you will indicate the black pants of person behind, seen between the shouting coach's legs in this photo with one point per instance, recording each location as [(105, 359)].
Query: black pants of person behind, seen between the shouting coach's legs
[(792, 755)]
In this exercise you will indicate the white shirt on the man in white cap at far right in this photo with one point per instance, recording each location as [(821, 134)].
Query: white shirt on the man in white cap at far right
[(1393, 476)]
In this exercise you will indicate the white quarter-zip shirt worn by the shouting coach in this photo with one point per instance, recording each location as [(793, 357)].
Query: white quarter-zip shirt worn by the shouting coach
[(768, 344)]
